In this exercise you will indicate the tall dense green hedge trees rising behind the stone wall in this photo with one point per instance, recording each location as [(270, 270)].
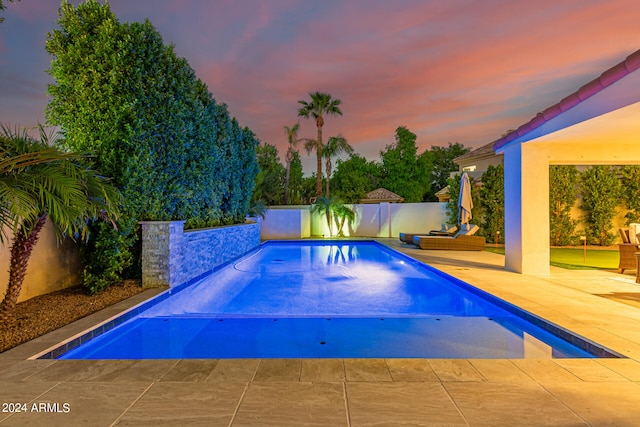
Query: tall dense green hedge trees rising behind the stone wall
[(174, 152)]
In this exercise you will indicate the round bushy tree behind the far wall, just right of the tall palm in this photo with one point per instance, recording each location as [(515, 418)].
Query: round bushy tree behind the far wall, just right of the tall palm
[(355, 177)]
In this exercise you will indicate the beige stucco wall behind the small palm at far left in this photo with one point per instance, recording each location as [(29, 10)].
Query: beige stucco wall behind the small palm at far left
[(52, 266)]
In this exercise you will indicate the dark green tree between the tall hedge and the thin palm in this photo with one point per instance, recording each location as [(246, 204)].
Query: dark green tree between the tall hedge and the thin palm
[(270, 179)]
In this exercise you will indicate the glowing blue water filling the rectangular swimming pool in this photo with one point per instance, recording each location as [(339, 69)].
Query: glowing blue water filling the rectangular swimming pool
[(318, 299)]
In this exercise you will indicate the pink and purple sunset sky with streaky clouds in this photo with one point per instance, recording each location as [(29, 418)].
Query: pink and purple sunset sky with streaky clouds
[(451, 71)]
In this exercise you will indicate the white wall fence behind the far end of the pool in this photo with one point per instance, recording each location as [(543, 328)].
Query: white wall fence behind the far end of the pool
[(372, 220)]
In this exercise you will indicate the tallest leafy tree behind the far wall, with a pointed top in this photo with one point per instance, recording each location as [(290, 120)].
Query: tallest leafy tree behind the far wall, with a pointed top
[(405, 173)]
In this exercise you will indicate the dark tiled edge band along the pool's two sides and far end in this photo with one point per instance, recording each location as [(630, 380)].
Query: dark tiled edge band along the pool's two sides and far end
[(56, 350)]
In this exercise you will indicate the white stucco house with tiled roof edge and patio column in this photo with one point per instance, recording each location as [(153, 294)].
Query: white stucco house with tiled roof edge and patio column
[(597, 124)]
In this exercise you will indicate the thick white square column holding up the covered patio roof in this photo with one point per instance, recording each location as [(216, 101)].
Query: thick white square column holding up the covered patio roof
[(526, 209)]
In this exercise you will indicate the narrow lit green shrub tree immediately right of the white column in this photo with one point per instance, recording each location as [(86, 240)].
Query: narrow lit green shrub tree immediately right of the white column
[(563, 192)]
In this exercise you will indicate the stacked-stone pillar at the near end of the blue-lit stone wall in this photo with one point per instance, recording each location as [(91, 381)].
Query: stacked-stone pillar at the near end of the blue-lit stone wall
[(162, 253)]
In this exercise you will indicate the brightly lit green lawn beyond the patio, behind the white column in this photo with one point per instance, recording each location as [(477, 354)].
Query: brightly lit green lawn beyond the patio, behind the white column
[(573, 258)]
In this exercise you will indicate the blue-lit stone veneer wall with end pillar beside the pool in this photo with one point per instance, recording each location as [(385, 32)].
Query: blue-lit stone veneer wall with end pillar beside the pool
[(172, 256)]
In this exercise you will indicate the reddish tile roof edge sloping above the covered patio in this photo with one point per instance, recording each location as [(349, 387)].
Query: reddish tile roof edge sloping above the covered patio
[(612, 75)]
